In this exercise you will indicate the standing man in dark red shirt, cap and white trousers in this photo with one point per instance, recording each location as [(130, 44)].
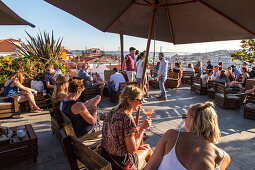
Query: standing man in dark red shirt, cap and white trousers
[(129, 61)]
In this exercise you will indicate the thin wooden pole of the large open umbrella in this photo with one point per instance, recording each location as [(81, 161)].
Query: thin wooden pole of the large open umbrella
[(154, 9)]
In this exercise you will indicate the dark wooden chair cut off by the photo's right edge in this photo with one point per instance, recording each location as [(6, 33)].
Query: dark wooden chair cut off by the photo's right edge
[(249, 107)]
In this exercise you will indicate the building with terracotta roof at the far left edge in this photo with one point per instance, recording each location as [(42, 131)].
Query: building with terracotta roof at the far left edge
[(7, 48)]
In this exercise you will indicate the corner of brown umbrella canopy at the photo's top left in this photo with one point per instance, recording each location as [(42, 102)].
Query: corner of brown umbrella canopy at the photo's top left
[(8, 17)]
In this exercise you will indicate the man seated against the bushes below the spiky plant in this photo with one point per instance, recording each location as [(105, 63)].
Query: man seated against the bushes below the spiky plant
[(50, 78)]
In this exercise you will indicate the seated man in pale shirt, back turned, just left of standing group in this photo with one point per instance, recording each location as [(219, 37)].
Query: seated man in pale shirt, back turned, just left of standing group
[(115, 80)]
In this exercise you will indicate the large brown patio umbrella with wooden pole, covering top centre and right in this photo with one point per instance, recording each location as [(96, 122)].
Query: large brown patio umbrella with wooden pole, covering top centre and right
[(175, 21)]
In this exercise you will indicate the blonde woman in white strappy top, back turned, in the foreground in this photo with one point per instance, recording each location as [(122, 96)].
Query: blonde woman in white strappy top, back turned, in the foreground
[(193, 149)]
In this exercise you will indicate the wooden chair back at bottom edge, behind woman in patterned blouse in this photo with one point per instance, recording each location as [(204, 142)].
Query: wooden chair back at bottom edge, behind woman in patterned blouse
[(75, 150)]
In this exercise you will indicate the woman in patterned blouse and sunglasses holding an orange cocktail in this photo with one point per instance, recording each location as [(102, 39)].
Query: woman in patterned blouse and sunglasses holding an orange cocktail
[(121, 139)]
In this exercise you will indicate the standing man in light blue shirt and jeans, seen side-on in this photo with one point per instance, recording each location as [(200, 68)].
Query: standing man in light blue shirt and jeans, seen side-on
[(162, 75)]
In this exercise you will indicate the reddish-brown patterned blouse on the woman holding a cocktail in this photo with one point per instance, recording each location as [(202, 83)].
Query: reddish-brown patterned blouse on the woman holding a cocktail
[(116, 127)]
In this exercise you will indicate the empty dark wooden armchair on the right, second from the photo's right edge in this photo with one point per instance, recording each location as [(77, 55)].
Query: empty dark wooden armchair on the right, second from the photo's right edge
[(225, 100)]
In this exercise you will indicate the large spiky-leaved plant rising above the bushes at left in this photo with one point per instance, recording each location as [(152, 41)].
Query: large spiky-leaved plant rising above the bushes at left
[(42, 47)]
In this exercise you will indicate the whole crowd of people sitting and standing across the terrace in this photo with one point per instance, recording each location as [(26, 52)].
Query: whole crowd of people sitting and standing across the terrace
[(122, 141)]
